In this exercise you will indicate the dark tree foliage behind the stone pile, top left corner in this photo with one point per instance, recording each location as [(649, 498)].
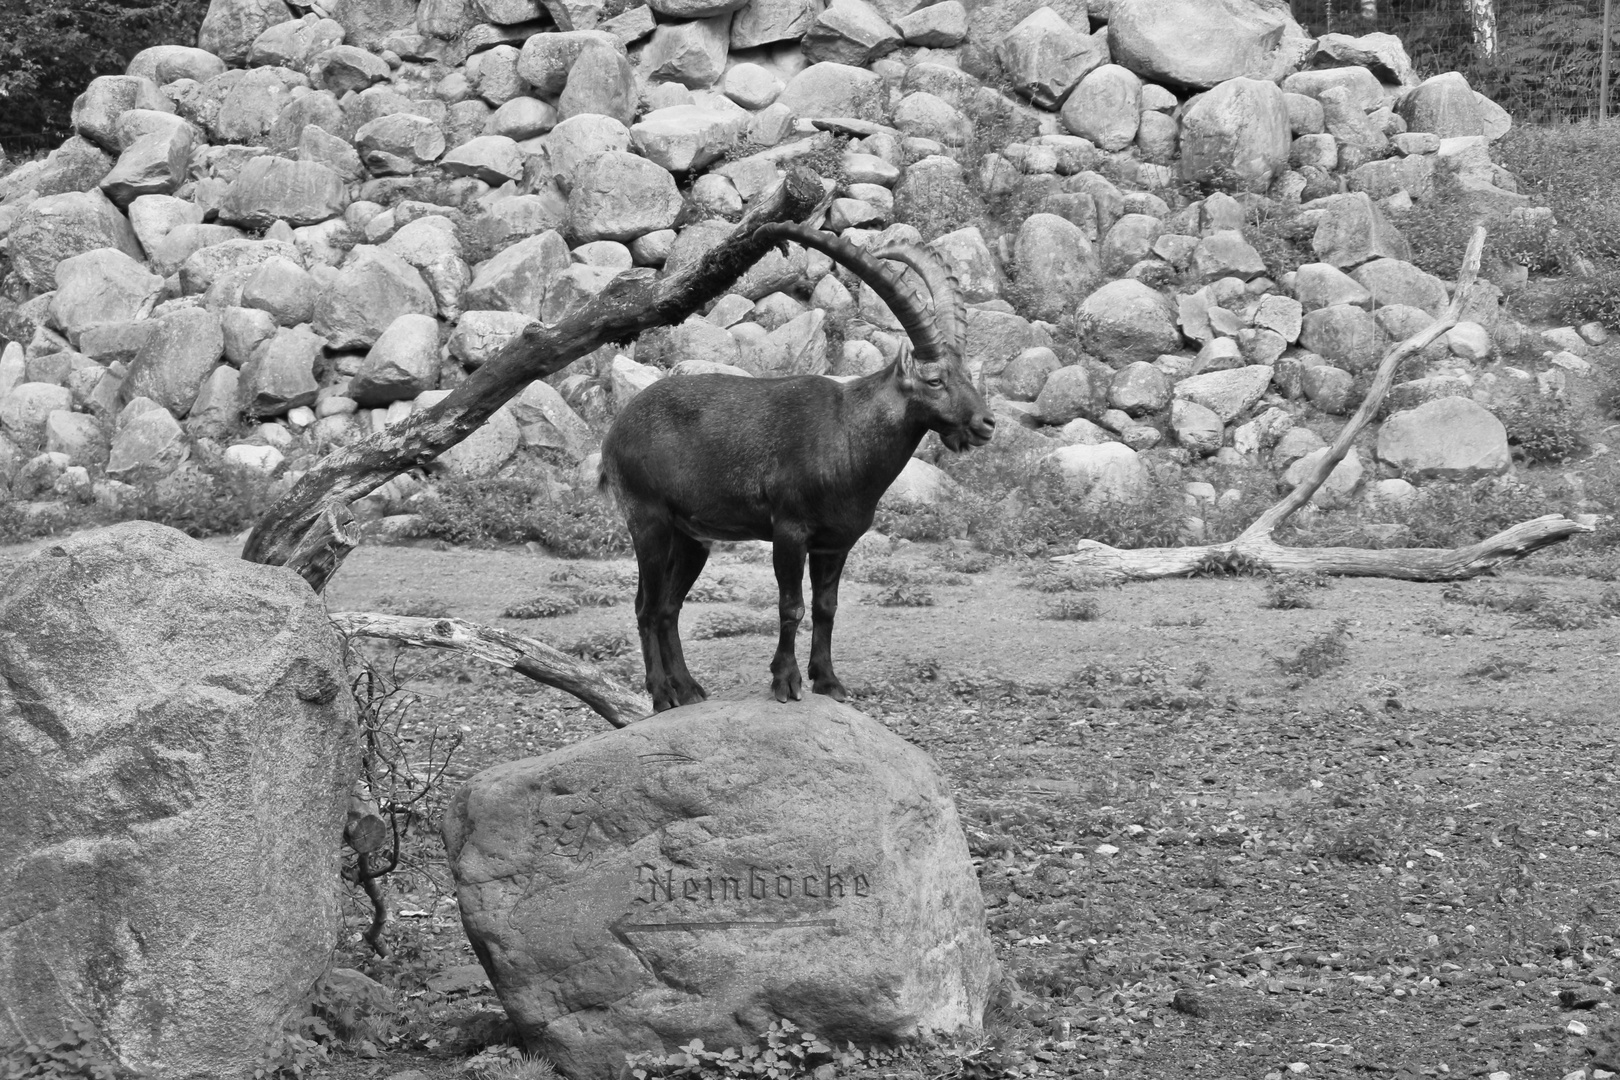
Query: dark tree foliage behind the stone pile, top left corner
[(51, 51)]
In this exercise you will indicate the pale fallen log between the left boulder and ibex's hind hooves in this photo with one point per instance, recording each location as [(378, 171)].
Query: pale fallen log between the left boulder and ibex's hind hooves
[(615, 702)]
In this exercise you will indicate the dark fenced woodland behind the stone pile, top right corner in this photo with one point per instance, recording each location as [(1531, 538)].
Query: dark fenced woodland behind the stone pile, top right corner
[(1546, 64)]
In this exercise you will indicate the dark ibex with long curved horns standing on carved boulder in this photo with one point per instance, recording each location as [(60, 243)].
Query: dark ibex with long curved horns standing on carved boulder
[(799, 462)]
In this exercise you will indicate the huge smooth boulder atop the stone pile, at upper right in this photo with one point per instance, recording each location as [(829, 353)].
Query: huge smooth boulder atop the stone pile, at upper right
[(1200, 43)]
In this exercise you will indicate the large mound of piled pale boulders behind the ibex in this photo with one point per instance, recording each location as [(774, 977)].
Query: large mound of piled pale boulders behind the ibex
[(326, 215)]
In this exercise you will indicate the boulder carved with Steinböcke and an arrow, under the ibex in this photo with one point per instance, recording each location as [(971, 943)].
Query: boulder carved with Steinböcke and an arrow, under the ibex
[(811, 859)]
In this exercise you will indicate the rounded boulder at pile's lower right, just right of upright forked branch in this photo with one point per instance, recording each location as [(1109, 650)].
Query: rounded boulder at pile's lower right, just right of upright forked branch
[(1452, 438)]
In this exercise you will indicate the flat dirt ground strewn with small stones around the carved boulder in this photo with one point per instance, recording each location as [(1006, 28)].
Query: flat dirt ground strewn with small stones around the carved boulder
[(1196, 862)]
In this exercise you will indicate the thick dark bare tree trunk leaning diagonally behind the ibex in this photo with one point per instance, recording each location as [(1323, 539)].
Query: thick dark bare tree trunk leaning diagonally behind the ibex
[(312, 527)]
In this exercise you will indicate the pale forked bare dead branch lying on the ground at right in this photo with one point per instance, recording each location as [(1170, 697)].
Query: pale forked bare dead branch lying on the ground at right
[(1255, 548)]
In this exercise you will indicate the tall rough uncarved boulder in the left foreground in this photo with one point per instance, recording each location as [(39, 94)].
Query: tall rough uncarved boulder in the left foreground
[(179, 747)]
